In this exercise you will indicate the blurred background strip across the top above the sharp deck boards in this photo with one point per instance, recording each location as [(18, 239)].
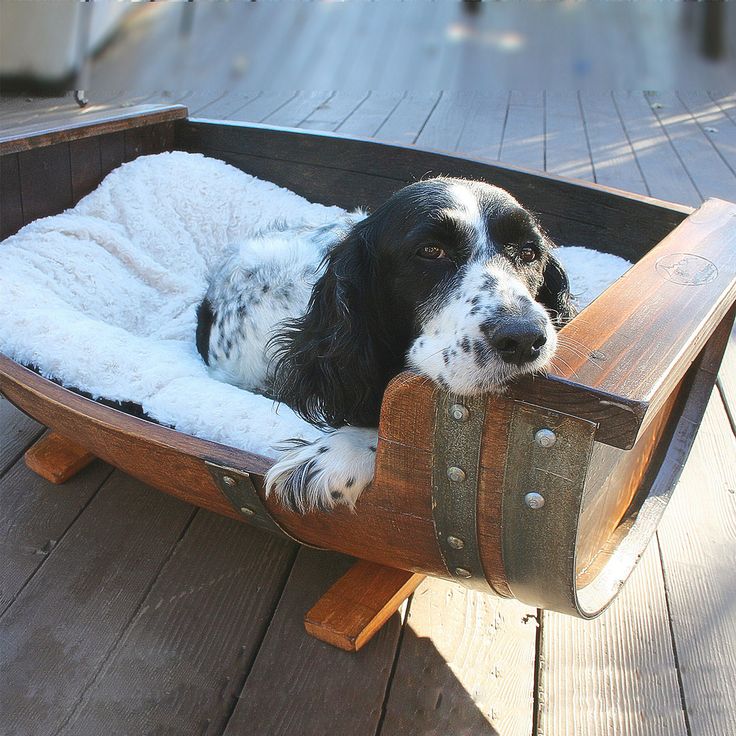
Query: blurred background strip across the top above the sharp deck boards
[(170, 49)]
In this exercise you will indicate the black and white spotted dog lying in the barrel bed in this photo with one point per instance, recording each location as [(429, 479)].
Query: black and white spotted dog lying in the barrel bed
[(453, 279)]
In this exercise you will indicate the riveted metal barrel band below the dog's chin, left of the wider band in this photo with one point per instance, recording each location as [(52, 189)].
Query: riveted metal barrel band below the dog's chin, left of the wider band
[(455, 475)]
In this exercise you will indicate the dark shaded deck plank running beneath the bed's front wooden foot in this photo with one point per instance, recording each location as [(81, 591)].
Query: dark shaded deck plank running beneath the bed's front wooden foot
[(303, 687)]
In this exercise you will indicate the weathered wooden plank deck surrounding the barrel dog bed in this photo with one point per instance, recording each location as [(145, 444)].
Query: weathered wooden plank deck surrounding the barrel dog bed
[(124, 611)]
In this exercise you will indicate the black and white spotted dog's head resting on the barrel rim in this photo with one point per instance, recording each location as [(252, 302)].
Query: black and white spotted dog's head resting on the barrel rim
[(452, 277)]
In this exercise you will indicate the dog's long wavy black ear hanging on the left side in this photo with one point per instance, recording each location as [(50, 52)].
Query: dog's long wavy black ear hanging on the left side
[(328, 364)]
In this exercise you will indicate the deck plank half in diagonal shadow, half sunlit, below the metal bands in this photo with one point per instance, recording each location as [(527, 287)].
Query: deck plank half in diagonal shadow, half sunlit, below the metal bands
[(465, 666)]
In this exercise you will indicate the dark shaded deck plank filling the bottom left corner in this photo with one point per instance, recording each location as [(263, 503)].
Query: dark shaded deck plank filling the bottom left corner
[(126, 528)]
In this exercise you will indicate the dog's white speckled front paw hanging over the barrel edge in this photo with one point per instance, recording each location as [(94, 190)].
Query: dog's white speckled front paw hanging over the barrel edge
[(316, 476)]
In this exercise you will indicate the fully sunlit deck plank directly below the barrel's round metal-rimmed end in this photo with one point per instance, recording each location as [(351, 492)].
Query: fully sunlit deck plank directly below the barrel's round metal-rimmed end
[(615, 676)]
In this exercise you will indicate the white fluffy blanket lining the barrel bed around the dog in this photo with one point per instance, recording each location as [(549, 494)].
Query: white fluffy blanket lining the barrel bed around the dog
[(103, 297)]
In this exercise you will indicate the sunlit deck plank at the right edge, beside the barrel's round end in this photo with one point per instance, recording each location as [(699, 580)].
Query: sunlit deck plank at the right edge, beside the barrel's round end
[(699, 556)]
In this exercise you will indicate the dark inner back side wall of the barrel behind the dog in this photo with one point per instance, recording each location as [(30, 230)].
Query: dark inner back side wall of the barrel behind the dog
[(627, 225)]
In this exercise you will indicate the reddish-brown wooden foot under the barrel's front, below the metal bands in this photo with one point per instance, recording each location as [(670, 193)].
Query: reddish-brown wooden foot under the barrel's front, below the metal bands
[(359, 603)]
